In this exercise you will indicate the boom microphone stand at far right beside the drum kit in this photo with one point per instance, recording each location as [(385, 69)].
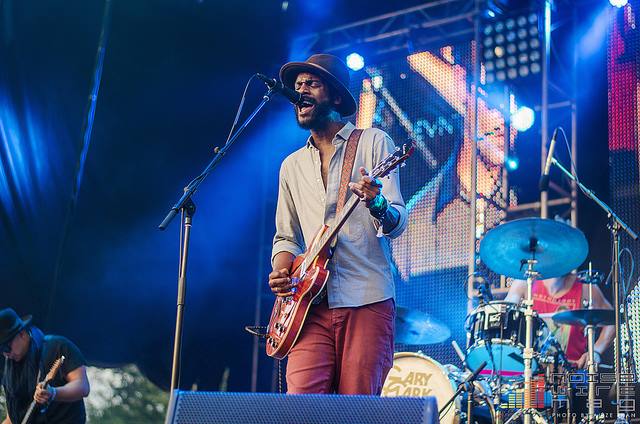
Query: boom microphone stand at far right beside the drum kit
[(615, 225)]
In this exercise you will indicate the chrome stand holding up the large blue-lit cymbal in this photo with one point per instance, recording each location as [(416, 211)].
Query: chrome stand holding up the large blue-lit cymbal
[(528, 411)]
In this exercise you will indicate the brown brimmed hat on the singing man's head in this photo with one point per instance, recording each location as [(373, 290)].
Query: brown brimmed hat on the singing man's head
[(330, 68)]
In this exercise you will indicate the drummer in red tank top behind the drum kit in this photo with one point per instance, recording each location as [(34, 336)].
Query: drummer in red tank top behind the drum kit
[(561, 294)]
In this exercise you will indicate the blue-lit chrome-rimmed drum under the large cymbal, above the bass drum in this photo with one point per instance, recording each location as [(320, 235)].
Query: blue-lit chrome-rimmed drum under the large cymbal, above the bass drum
[(497, 335)]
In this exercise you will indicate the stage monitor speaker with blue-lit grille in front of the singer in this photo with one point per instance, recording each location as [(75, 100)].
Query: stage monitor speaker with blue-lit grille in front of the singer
[(269, 408)]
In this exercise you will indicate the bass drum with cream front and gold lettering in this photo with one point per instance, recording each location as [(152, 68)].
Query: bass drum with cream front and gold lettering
[(417, 375)]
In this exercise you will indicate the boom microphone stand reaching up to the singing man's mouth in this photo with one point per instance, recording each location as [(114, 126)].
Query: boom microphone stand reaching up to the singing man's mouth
[(187, 208)]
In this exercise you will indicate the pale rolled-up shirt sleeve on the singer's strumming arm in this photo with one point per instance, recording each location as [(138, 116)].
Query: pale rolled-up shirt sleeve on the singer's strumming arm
[(288, 237)]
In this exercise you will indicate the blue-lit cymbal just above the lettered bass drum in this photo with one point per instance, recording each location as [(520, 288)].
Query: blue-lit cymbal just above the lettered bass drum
[(419, 328)]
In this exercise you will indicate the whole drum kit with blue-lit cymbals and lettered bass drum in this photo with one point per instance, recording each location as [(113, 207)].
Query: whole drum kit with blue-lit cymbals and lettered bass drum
[(513, 360)]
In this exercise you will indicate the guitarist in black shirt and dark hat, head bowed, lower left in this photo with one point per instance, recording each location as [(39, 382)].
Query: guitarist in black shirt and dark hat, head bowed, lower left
[(28, 357)]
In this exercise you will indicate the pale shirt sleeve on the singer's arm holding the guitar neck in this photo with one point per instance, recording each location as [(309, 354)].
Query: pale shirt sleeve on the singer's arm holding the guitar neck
[(383, 146)]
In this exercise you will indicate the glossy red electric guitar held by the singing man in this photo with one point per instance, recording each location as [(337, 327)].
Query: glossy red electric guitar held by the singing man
[(310, 270)]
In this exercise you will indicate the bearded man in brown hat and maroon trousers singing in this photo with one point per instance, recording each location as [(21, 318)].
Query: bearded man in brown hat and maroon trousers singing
[(346, 343)]
